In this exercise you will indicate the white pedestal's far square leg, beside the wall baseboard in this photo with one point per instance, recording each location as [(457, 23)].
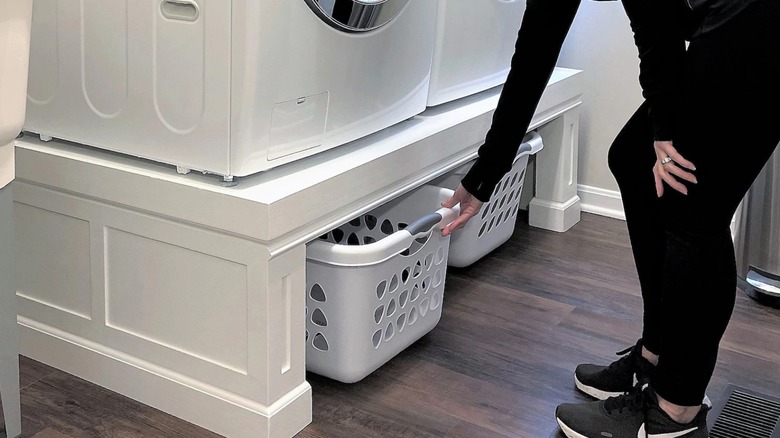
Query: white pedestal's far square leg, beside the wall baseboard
[(556, 205)]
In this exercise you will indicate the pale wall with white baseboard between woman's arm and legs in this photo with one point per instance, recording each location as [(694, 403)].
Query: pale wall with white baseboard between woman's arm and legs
[(601, 44)]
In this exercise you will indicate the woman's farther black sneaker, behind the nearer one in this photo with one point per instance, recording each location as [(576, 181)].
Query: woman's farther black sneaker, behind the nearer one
[(602, 382)]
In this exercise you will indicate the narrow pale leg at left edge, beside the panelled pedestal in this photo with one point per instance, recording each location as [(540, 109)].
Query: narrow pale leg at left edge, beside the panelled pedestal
[(9, 344)]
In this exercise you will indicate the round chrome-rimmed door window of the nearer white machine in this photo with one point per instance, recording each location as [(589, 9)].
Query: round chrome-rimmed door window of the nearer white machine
[(357, 15)]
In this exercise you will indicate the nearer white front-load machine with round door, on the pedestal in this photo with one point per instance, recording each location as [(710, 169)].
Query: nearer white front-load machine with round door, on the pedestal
[(230, 87)]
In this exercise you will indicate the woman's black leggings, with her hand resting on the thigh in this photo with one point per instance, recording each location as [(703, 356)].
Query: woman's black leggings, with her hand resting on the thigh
[(728, 125)]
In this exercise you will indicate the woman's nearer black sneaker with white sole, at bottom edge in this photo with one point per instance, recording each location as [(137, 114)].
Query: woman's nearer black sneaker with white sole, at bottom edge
[(632, 415)]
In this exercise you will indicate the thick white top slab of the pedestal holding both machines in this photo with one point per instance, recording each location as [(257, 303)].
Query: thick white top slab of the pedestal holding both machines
[(296, 201)]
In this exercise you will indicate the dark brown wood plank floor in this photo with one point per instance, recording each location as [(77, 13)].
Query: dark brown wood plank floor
[(514, 326)]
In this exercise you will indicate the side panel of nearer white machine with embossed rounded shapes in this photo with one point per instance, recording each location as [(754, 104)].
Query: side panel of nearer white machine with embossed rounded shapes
[(117, 74)]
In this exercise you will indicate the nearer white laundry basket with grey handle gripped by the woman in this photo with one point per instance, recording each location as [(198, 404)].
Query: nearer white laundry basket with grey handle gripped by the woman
[(375, 285)]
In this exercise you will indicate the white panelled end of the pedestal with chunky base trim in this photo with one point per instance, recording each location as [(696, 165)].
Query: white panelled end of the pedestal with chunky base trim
[(182, 305)]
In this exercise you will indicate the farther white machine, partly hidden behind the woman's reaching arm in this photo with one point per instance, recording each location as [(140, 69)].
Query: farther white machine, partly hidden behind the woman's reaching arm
[(474, 44)]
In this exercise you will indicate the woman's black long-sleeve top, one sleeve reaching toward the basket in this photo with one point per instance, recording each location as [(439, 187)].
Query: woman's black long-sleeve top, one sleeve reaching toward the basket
[(661, 29)]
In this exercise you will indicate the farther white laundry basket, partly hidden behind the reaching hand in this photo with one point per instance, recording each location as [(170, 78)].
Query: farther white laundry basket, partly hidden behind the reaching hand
[(495, 223)]
